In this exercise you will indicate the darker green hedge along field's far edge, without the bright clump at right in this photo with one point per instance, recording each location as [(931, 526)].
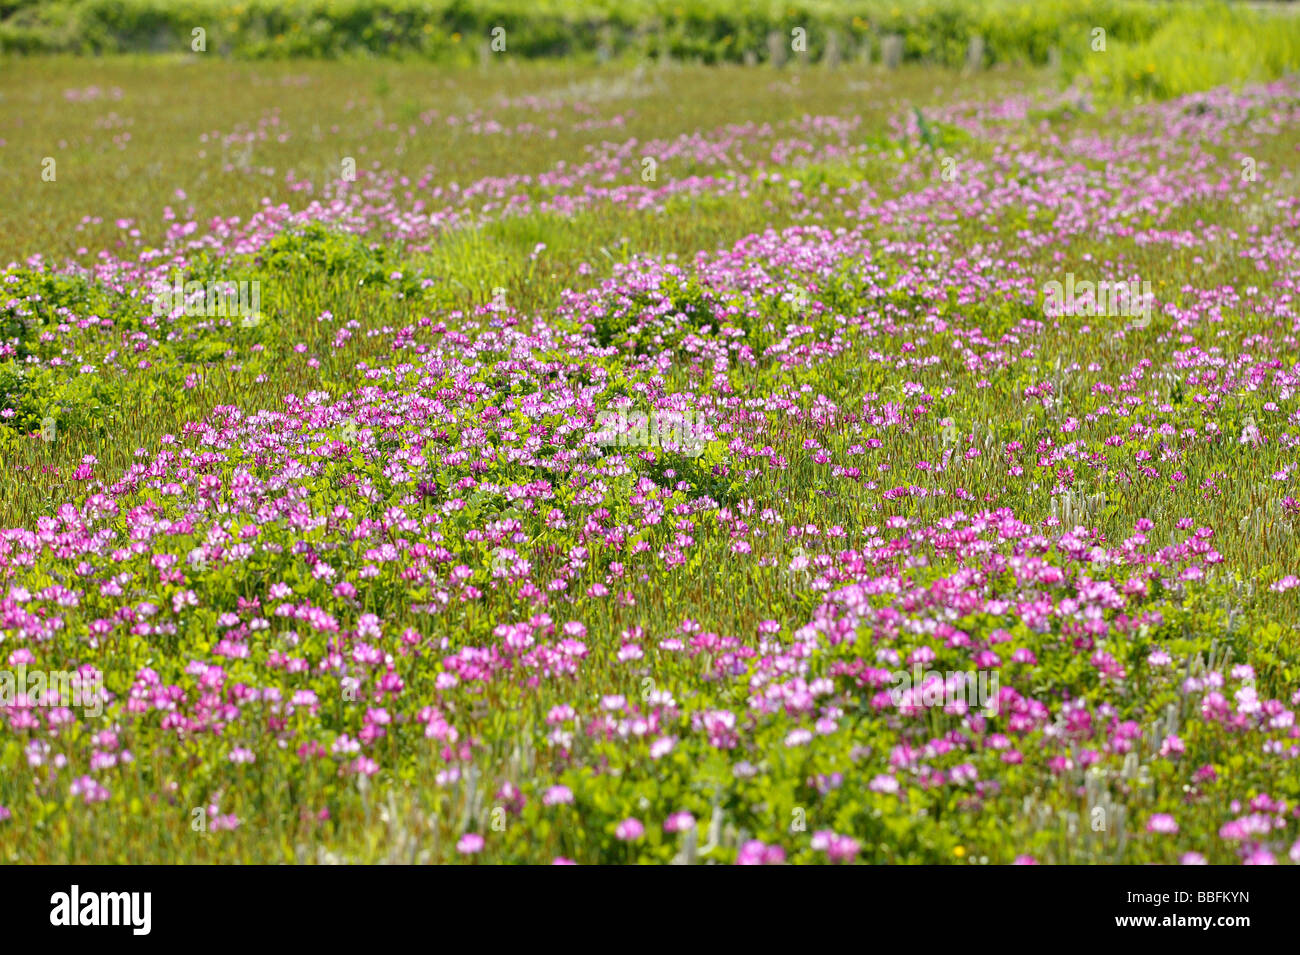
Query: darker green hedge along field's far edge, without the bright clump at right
[(454, 31)]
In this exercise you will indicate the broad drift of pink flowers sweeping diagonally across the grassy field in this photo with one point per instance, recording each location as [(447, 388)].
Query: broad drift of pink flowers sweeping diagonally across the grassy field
[(452, 529)]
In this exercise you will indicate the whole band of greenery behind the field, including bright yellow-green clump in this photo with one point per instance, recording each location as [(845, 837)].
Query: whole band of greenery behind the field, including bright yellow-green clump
[(1154, 49)]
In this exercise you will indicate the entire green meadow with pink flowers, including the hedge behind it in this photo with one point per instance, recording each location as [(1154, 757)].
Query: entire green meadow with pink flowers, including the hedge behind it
[(614, 433)]
